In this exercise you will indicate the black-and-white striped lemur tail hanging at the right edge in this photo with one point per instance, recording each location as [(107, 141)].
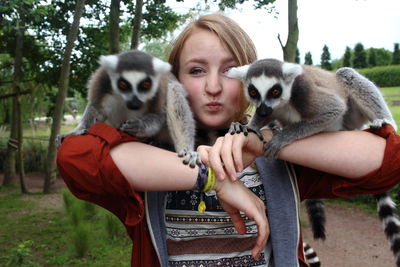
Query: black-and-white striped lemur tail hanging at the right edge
[(391, 223)]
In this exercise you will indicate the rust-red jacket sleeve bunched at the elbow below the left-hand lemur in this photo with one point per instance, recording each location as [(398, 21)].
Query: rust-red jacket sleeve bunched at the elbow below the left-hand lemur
[(88, 170)]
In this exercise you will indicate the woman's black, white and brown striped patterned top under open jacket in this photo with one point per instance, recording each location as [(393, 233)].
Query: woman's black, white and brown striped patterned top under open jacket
[(209, 239)]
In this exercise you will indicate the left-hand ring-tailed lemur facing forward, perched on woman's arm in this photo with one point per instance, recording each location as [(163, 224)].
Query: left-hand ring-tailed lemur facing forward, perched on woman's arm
[(138, 94)]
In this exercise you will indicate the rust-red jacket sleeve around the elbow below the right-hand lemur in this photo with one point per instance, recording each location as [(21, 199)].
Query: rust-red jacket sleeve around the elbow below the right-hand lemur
[(316, 184)]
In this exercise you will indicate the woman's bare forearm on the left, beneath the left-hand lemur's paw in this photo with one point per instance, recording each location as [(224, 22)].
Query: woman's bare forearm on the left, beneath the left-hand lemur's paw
[(148, 168)]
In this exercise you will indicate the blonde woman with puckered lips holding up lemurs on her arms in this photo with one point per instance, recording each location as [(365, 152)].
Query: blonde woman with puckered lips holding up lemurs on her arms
[(174, 233)]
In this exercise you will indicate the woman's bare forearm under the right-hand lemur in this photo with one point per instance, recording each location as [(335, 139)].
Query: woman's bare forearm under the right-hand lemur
[(350, 154)]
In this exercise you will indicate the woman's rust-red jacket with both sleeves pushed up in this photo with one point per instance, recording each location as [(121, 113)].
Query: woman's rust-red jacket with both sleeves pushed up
[(90, 173)]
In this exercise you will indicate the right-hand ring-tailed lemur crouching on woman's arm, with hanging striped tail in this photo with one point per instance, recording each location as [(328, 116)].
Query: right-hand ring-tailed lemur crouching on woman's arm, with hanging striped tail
[(306, 100)]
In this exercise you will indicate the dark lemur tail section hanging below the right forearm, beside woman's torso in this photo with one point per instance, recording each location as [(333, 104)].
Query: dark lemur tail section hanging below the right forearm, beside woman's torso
[(316, 216)]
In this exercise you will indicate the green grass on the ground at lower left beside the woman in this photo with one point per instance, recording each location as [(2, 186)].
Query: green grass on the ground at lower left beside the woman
[(34, 236)]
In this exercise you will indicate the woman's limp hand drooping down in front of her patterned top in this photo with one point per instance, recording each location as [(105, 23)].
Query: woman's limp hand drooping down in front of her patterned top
[(235, 197)]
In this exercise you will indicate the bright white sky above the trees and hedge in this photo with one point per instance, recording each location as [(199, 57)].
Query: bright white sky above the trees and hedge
[(335, 23)]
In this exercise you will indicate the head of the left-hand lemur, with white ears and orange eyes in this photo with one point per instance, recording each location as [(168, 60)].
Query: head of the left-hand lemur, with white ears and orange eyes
[(135, 76)]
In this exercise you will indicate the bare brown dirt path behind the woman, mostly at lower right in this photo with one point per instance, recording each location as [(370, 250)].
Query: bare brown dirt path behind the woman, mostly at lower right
[(354, 237)]
